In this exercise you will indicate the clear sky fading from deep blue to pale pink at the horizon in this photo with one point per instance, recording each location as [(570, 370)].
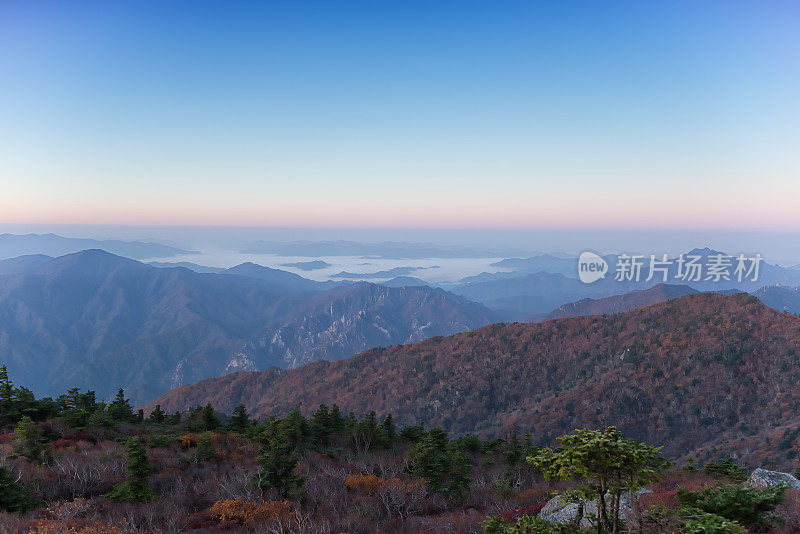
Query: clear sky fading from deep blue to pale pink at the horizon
[(678, 116)]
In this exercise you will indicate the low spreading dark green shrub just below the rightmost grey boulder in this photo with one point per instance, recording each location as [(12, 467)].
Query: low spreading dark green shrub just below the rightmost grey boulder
[(739, 503)]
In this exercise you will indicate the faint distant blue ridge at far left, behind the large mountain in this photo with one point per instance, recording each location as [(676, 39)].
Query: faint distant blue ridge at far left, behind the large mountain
[(12, 245)]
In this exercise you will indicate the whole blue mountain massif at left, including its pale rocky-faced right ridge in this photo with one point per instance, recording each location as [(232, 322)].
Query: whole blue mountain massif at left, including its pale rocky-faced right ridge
[(98, 321)]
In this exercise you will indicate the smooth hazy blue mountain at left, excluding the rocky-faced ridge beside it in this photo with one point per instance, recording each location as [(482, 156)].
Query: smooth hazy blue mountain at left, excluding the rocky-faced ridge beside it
[(96, 320)]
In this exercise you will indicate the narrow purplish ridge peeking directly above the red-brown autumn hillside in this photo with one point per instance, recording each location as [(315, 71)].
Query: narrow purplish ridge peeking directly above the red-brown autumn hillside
[(621, 303)]
